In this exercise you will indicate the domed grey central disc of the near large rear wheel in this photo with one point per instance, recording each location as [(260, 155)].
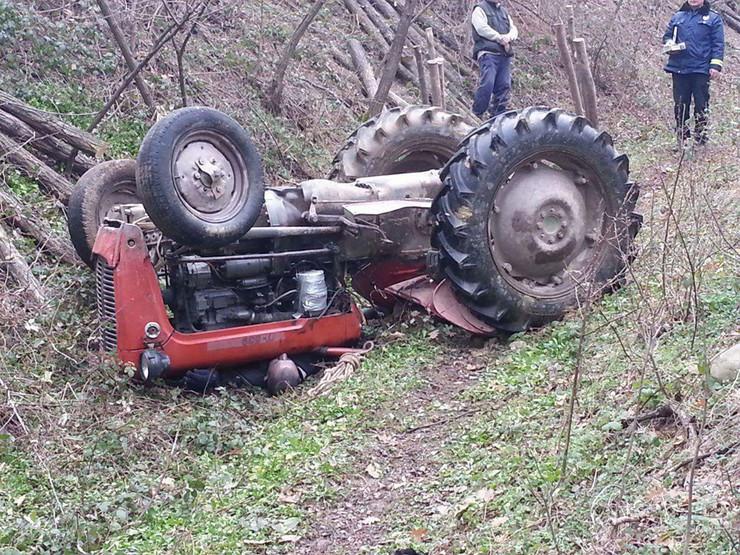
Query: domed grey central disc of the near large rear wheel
[(538, 224)]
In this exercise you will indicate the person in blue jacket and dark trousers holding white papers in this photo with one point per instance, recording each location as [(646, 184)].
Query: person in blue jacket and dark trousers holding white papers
[(695, 42)]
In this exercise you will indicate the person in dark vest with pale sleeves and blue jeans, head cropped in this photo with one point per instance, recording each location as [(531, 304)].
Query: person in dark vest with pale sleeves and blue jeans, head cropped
[(493, 33)]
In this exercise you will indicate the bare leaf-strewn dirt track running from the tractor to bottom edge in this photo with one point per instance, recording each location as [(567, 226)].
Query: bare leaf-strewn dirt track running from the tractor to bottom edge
[(403, 458)]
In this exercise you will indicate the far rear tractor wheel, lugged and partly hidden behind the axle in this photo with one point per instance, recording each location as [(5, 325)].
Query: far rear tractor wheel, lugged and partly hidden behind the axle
[(412, 139)]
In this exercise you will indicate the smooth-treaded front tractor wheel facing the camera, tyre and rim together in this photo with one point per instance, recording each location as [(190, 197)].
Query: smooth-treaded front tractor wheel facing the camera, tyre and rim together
[(200, 177)]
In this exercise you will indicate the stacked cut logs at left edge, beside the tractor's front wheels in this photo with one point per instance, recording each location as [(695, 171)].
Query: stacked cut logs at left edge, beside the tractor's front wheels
[(50, 152)]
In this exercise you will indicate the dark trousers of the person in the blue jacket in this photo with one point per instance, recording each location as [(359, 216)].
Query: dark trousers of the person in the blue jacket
[(685, 88)]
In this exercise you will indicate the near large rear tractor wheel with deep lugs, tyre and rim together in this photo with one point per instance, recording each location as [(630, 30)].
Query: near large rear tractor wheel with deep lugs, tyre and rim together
[(535, 216)]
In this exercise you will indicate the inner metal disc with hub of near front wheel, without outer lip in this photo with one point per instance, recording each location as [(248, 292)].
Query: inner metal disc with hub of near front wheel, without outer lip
[(204, 177)]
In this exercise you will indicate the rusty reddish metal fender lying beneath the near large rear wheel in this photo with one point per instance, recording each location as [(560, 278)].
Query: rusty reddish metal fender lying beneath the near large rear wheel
[(439, 299)]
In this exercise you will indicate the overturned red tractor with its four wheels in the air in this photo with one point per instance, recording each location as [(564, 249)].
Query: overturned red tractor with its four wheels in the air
[(198, 265)]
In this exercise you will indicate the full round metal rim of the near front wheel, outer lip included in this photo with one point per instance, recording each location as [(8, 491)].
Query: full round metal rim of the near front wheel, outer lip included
[(210, 176)]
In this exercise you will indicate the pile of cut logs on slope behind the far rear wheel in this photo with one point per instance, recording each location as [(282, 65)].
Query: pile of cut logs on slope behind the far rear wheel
[(430, 63)]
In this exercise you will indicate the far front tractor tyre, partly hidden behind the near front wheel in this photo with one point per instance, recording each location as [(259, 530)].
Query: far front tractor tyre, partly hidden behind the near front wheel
[(100, 189)]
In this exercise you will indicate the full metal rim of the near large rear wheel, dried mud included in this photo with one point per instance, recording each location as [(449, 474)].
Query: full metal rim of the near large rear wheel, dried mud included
[(545, 225)]
